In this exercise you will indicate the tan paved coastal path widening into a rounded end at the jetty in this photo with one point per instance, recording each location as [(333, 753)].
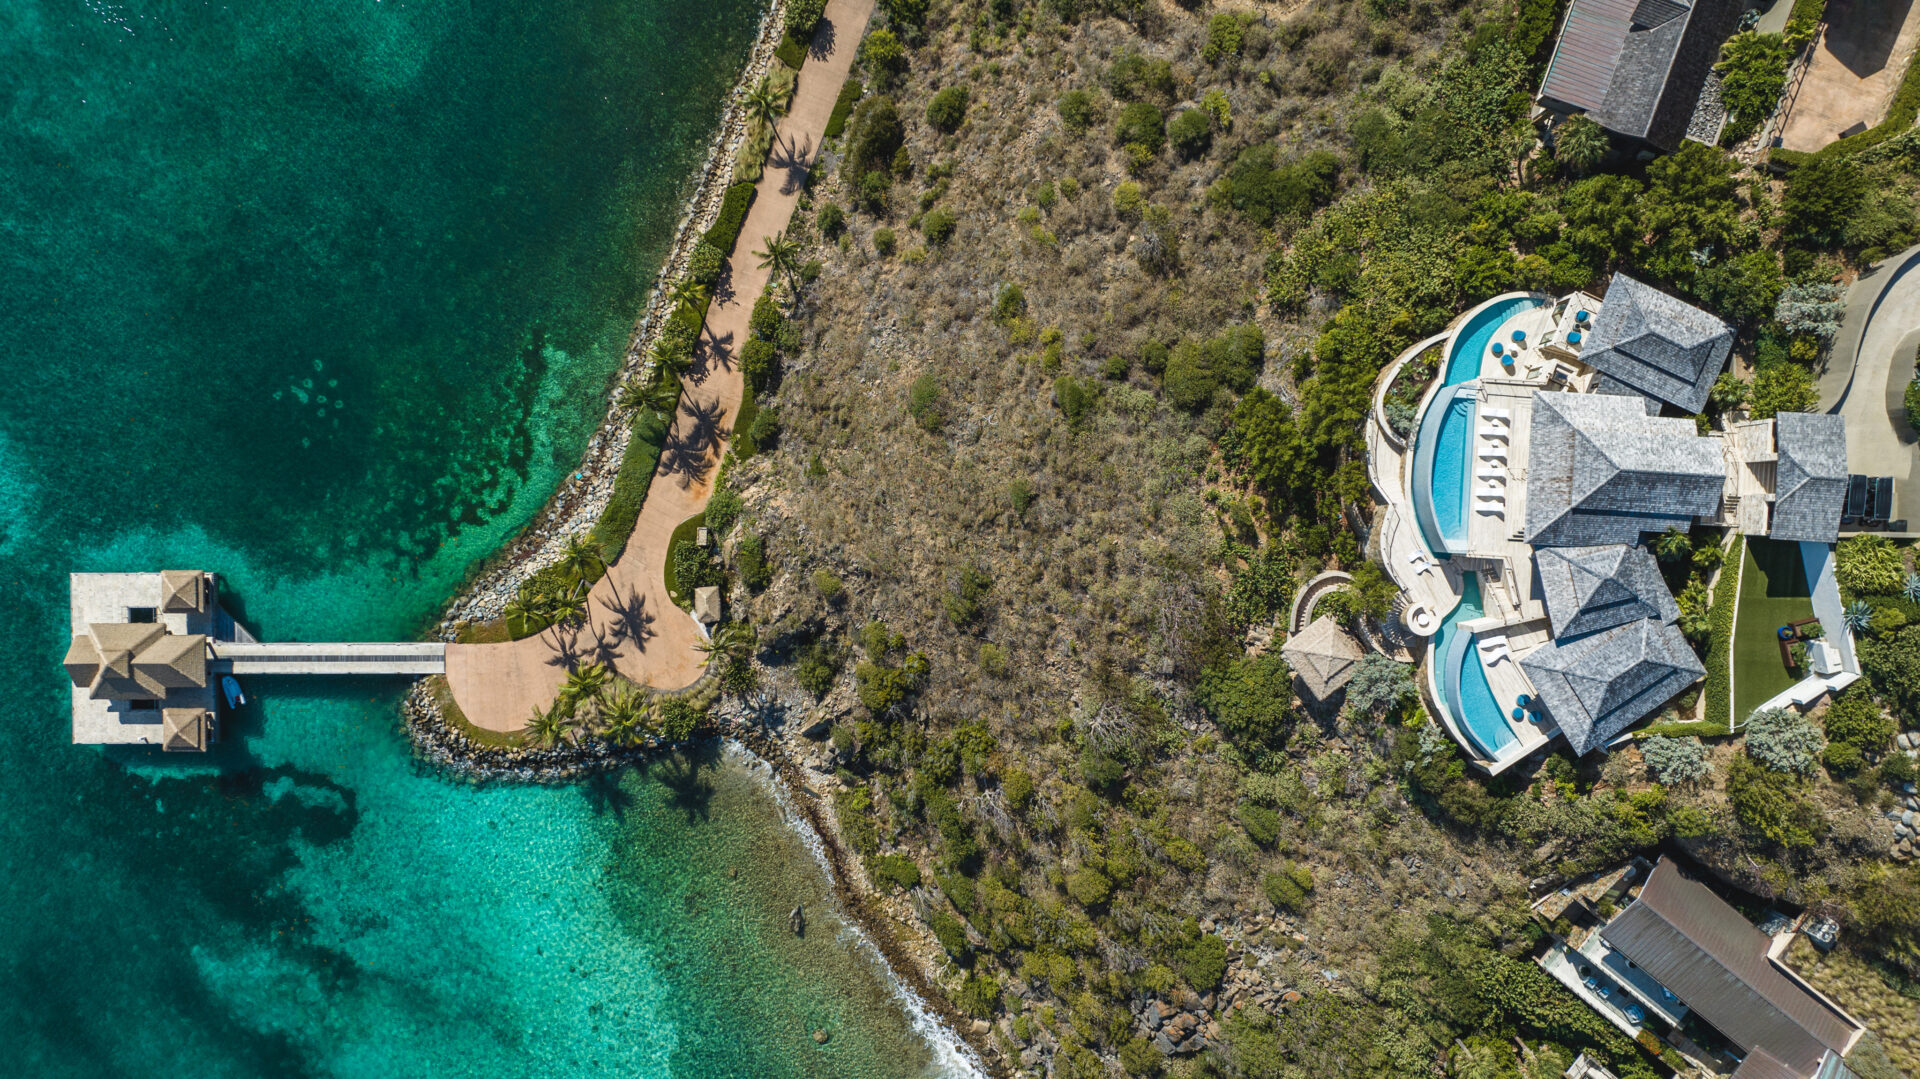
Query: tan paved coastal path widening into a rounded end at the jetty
[(633, 623)]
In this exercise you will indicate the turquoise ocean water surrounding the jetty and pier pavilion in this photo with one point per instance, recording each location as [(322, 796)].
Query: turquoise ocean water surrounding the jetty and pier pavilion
[(324, 297)]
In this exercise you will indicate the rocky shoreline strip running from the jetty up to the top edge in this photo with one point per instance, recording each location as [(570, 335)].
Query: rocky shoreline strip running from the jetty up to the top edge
[(583, 498)]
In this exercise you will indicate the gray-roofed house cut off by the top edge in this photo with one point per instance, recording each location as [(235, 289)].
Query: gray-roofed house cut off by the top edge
[(1637, 66)]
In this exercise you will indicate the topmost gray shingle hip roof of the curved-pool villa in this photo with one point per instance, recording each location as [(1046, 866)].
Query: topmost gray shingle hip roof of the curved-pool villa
[(1656, 345)]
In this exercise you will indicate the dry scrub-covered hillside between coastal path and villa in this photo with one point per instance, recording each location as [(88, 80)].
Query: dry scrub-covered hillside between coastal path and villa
[(1020, 527)]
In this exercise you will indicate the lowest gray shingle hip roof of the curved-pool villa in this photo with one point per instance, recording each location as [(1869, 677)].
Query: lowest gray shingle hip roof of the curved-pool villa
[(1600, 684)]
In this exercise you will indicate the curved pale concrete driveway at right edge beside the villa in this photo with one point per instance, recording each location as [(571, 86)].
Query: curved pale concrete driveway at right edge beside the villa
[(1867, 377)]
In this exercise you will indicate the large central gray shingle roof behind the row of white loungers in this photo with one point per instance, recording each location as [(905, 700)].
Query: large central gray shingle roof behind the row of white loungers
[(1602, 471)]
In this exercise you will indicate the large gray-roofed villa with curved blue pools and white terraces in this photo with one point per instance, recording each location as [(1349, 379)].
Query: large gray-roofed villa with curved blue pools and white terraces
[(1520, 508)]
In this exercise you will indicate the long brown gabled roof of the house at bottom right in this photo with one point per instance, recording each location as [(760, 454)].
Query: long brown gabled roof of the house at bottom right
[(1689, 940)]
